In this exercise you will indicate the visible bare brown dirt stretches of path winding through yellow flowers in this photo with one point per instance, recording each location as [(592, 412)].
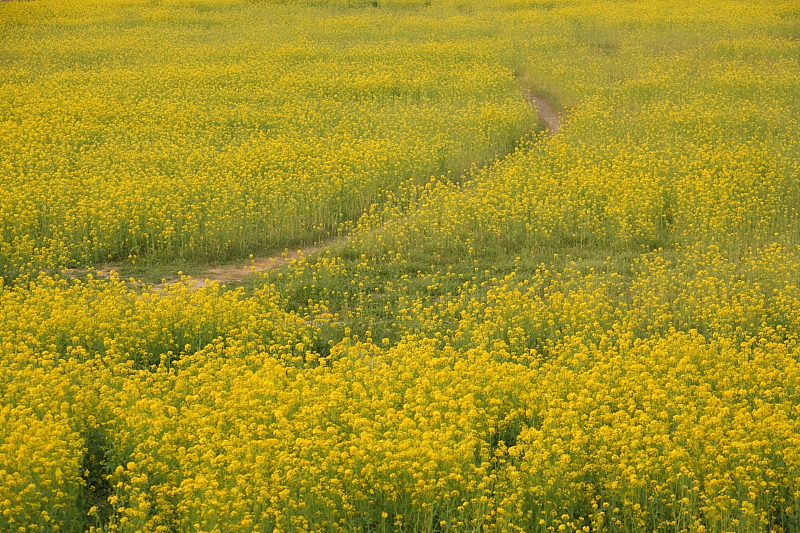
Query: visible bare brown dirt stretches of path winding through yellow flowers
[(238, 271)]
